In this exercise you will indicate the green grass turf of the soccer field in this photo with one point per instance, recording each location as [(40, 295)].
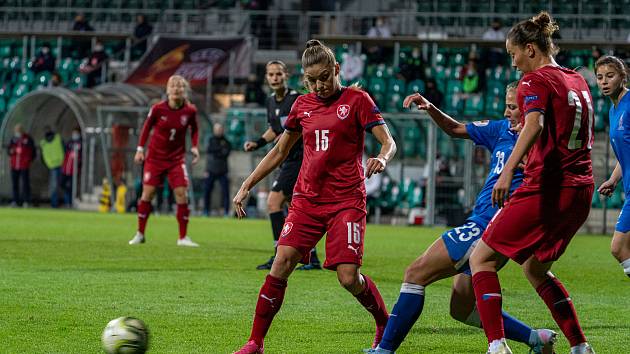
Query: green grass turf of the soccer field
[(64, 275)]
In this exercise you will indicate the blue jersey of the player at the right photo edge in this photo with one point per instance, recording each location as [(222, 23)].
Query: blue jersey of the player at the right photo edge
[(620, 137)]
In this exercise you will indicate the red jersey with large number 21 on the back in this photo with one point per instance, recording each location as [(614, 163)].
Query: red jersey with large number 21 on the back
[(561, 157)]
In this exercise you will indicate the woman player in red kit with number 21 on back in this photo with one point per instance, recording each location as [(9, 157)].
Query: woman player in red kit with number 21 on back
[(541, 217)]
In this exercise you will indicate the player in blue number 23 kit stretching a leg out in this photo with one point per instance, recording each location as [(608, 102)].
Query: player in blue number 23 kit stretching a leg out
[(448, 255)]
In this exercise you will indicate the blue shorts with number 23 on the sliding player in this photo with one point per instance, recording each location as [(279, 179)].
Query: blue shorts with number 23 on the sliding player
[(460, 242)]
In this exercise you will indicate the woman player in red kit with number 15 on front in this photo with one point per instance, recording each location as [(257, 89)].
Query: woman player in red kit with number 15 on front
[(329, 196)]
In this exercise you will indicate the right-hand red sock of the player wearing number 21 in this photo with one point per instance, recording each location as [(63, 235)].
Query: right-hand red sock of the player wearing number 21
[(559, 303)]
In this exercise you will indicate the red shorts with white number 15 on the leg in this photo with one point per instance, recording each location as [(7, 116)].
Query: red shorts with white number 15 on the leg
[(344, 223)]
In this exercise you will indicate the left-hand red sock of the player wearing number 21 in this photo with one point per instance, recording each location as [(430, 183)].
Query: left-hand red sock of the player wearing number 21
[(489, 302)]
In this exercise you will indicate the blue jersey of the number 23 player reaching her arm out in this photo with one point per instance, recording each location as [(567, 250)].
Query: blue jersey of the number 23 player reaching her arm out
[(499, 139)]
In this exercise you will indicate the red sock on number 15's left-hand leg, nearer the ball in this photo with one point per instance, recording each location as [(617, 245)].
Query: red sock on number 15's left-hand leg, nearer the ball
[(269, 302)]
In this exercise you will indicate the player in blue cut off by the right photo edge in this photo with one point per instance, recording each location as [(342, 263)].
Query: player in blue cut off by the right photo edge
[(612, 78)]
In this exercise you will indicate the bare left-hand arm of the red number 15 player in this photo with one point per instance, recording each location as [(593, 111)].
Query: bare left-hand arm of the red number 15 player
[(270, 162)]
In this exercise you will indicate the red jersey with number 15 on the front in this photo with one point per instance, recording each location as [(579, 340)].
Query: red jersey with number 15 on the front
[(333, 131)]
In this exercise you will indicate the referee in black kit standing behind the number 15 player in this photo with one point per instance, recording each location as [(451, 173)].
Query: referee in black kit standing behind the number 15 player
[(278, 108)]
